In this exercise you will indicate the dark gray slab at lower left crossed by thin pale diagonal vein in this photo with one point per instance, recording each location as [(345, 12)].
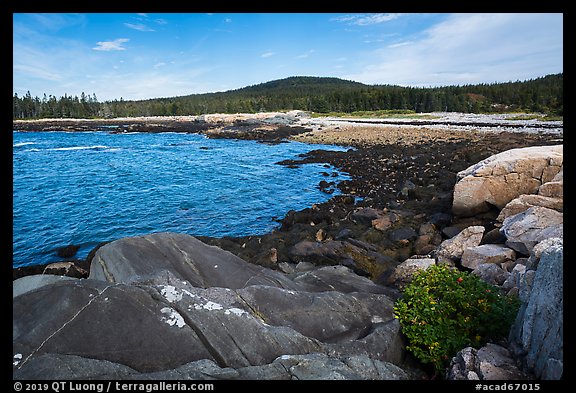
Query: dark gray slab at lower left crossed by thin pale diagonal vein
[(94, 319)]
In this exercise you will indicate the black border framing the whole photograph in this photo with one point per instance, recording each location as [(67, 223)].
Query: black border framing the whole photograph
[(8, 7)]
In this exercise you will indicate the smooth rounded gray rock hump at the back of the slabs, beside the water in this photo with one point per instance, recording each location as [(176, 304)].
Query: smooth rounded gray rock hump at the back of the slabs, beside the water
[(138, 258)]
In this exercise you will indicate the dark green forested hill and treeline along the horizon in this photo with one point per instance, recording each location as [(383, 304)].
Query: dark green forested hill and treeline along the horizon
[(315, 94)]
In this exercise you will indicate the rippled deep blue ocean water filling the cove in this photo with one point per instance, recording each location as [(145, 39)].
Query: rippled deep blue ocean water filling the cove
[(88, 187)]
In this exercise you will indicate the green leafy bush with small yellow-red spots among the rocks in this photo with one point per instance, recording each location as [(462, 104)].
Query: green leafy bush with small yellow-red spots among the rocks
[(444, 310)]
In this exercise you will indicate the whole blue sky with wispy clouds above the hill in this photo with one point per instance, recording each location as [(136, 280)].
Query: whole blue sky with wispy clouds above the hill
[(139, 56)]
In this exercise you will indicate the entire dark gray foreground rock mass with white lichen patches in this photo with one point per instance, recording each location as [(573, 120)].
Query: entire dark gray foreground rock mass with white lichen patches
[(170, 307)]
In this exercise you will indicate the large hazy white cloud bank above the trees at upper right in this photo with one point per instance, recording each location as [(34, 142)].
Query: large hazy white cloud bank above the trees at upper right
[(471, 48)]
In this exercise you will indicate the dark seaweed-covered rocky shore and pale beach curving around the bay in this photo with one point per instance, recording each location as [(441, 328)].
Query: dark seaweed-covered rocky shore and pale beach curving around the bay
[(408, 170)]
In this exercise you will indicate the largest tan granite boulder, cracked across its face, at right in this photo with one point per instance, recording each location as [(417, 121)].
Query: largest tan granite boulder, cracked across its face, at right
[(500, 178)]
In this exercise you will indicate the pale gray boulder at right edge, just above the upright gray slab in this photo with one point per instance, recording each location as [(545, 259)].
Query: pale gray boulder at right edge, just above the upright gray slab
[(524, 230)]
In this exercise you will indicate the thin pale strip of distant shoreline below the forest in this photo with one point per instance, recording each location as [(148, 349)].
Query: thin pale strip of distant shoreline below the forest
[(268, 121)]
